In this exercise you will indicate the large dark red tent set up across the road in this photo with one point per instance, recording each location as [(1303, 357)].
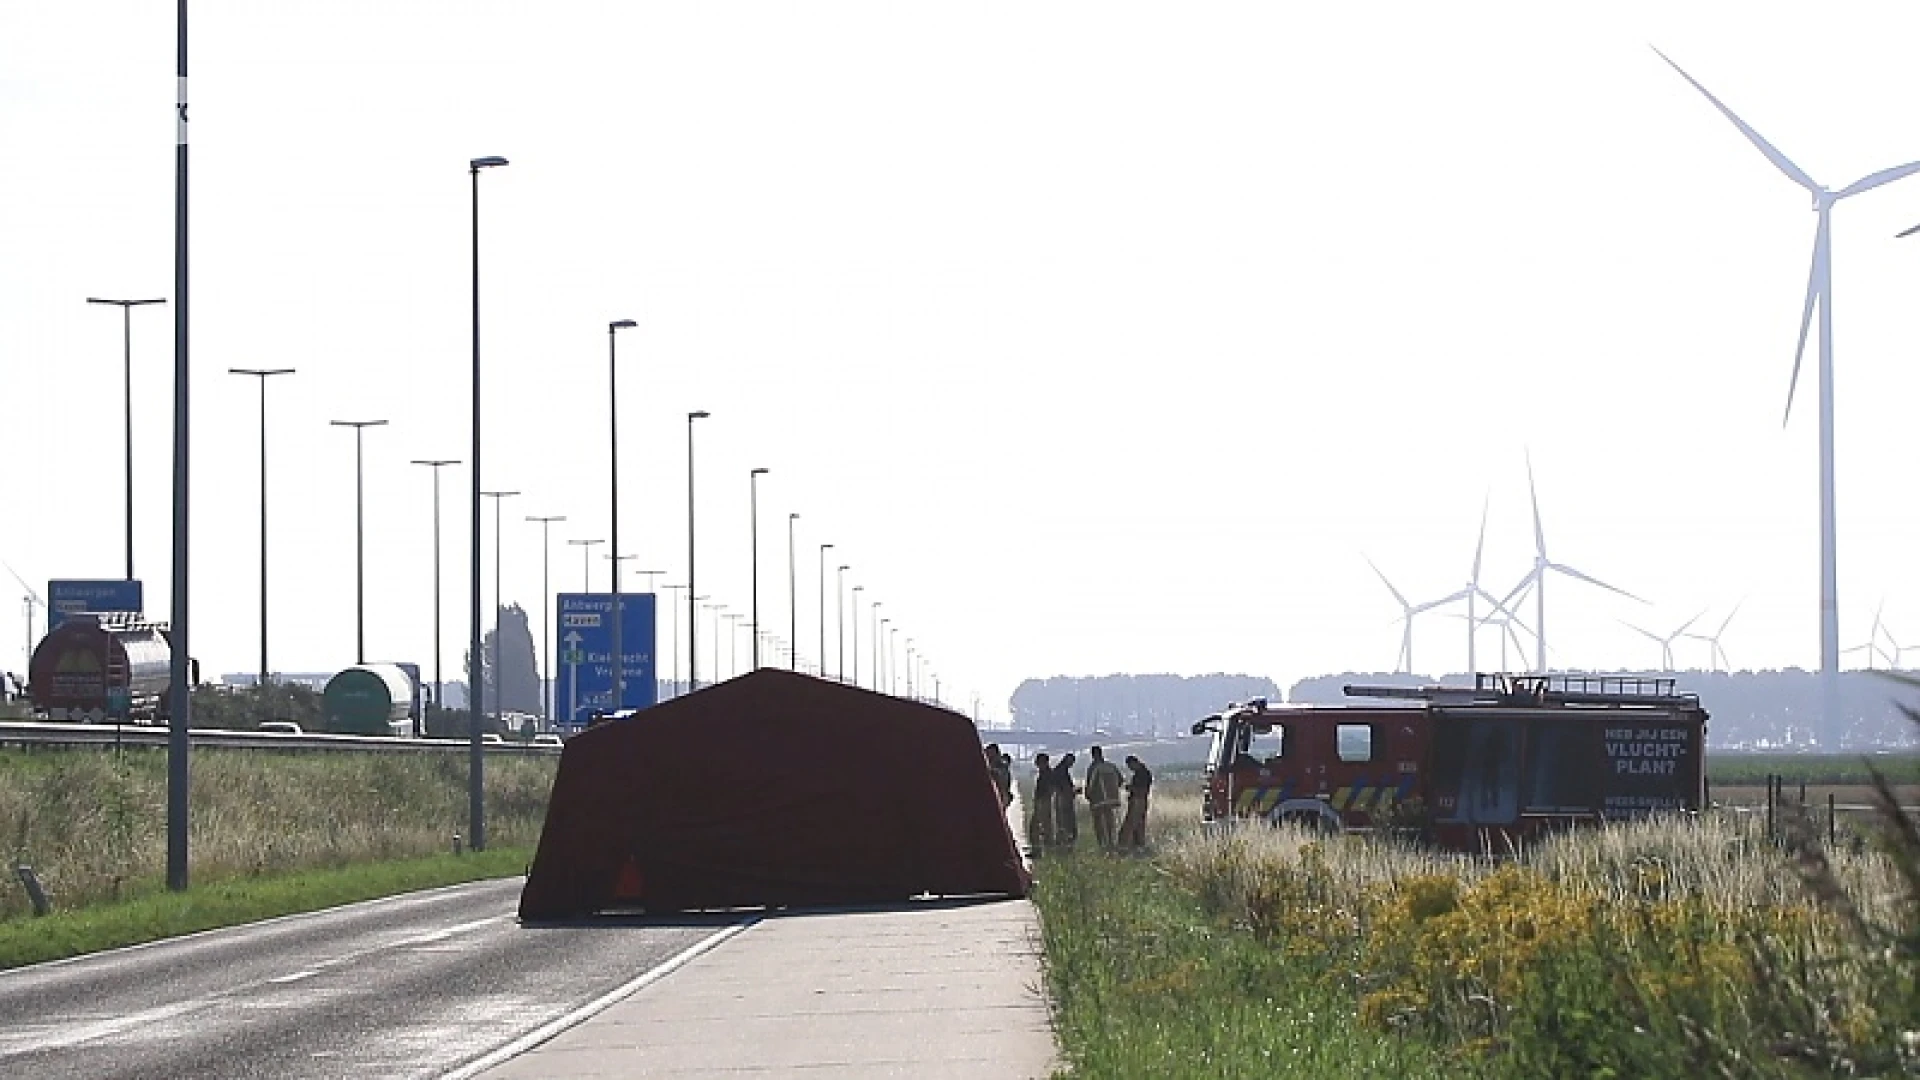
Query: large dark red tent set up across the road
[(773, 789)]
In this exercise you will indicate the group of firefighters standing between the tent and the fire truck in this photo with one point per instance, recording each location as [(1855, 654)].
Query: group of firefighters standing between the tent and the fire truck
[(1053, 820)]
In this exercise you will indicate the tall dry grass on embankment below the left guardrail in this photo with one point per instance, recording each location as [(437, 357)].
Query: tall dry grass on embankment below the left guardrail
[(93, 825)]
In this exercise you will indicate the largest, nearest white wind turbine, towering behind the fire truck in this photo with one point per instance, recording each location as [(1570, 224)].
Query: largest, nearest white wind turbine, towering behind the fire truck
[(1819, 295)]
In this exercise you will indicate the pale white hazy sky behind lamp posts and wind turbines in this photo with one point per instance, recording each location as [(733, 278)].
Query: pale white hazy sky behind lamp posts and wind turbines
[(1097, 337)]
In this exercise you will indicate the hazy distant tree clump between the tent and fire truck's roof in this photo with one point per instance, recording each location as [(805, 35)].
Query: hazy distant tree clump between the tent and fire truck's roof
[(1132, 704)]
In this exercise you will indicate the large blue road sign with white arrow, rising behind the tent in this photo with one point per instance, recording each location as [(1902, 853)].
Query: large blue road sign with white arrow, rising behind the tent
[(585, 650)]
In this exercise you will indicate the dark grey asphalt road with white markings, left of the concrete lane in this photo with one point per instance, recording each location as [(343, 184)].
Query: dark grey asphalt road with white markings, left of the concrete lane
[(408, 987)]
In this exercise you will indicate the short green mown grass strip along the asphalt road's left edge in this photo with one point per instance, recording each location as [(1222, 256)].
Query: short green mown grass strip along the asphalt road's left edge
[(241, 900)]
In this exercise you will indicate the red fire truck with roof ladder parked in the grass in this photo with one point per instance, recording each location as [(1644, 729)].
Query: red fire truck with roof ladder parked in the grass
[(1466, 768)]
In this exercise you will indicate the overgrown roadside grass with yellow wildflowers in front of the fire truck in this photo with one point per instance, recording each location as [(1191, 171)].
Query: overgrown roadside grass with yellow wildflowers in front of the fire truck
[(1650, 950)]
